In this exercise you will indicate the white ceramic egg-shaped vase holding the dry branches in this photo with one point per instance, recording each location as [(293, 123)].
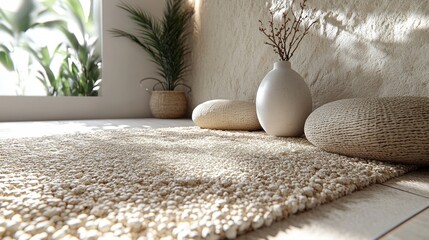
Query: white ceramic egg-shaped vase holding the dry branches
[(283, 101)]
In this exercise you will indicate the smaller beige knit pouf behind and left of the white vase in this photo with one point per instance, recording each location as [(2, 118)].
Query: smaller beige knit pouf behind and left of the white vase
[(224, 114)]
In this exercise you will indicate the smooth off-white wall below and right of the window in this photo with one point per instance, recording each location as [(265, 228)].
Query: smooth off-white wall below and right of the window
[(124, 64)]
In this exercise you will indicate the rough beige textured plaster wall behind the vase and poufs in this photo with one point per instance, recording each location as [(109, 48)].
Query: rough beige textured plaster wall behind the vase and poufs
[(358, 49)]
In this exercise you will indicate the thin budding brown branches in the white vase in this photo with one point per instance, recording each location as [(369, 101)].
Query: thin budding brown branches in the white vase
[(286, 36)]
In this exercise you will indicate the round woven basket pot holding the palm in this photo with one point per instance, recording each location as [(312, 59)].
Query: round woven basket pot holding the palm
[(168, 104)]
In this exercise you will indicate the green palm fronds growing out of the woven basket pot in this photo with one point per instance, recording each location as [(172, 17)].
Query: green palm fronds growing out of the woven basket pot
[(165, 42)]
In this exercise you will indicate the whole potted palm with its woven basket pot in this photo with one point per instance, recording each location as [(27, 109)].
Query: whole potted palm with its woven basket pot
[(165, 41)]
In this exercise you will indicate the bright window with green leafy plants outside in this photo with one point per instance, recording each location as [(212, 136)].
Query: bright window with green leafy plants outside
[(50, 48)]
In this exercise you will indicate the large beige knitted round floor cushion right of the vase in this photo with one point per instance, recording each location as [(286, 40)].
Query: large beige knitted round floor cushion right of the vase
[(388, 129)]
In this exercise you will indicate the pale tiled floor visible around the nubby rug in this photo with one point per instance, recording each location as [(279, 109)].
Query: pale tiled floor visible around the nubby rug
[(397, 209)]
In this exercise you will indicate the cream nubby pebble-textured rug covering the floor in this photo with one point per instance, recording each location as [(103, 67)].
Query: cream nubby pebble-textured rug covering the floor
[(175, 183)]
